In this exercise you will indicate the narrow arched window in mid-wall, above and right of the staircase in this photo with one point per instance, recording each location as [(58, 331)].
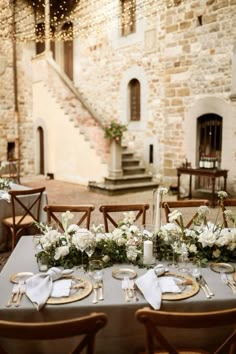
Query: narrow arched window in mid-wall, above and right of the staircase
[(134, 100)]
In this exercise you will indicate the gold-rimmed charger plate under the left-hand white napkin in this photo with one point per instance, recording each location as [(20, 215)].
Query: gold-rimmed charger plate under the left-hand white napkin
[(76, 293)]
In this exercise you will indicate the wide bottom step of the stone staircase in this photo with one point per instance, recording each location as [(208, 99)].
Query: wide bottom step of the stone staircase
[(121, 189)]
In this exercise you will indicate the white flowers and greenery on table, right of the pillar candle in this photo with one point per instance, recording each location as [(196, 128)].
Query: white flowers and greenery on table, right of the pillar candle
[(204, 242)]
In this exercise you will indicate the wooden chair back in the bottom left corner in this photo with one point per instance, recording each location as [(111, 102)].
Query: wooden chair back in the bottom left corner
[(87, 326)]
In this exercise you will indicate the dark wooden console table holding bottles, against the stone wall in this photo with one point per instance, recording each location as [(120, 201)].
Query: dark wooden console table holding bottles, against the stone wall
[(205, 172)]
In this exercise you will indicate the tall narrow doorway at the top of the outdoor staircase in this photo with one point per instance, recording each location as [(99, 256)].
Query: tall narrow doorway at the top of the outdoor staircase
[(68, 51)]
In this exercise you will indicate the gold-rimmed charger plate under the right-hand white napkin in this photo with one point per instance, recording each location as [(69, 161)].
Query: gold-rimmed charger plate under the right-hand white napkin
[(188, 285)]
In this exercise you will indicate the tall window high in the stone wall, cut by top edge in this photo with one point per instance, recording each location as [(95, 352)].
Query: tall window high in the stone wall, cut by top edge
[(128, 17)]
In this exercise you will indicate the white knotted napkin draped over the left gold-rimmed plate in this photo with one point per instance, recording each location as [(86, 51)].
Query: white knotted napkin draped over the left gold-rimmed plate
[(39, 287)]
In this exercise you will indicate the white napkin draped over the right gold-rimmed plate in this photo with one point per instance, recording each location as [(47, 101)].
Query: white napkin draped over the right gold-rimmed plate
[(152, 287)]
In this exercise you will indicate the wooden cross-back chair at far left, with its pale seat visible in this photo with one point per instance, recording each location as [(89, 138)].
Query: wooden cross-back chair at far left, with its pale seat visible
[(26, 209)]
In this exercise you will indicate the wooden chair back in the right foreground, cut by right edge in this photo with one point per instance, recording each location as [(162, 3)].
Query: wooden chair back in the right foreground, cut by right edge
[(153, 322)]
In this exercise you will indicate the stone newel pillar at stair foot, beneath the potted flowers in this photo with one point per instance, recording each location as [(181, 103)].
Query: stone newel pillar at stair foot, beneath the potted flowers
[(115, 169)]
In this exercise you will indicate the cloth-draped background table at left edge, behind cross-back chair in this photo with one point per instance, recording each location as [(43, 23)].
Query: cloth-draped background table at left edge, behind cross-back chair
[(6, 209)]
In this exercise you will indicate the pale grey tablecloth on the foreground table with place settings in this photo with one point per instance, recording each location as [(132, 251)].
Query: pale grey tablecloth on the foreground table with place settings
[(123, 334)]
